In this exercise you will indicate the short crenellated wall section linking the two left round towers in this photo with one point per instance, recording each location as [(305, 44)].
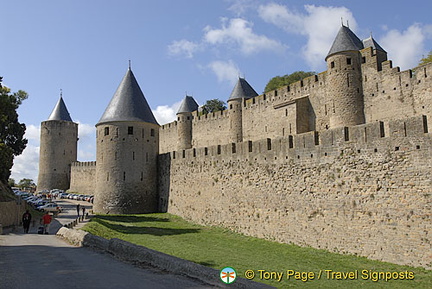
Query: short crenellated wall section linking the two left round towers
[(83, 178)]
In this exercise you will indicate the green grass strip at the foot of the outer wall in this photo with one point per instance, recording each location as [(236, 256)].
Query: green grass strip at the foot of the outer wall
[(217, 248)]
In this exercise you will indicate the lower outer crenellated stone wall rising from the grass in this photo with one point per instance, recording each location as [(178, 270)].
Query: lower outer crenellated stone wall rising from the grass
[(362, 190)]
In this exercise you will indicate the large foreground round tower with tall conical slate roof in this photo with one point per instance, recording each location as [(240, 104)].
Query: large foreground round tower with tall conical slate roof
[(126, 153)]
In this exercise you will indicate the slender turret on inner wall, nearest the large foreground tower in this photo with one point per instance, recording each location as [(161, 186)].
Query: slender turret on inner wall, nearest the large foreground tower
[(184, 120)]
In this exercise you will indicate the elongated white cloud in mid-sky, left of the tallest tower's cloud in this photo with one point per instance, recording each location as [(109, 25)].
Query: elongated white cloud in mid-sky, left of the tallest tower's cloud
[(238, 32)]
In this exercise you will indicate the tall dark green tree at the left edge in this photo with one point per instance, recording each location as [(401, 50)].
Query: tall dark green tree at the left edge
[(12, 141)]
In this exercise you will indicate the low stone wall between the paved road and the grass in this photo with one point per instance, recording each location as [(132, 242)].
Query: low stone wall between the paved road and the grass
[(141, 255)]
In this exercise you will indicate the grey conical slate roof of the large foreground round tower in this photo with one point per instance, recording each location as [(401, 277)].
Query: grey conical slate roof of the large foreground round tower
[(128, 103)]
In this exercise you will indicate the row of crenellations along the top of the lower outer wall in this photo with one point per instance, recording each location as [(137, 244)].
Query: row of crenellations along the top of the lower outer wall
[(372, 139)]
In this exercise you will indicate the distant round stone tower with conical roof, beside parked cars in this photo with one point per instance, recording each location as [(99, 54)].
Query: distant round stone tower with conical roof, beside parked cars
[(58, 149)]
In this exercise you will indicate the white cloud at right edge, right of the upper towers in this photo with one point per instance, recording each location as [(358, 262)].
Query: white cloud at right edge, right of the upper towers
[(406, 48)]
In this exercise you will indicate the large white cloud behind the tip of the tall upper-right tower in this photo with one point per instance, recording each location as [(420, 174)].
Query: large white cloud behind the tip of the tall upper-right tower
[(320, 37)]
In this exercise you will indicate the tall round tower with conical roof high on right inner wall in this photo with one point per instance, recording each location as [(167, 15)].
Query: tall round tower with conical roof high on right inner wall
[(344, 80)]
